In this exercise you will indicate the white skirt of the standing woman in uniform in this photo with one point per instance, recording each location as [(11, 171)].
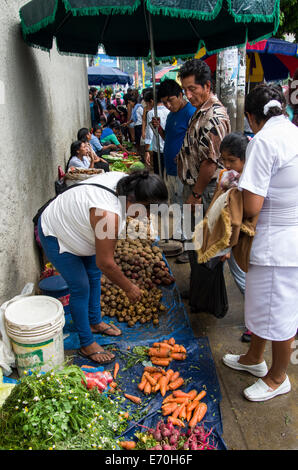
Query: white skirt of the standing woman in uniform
[(271, 302)]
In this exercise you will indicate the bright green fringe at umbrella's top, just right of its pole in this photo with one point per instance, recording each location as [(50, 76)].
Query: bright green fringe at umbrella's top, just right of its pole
[(184, 13)]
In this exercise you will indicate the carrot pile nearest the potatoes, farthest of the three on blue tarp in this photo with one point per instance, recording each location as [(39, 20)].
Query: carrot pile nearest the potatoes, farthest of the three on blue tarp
[(164, 352)]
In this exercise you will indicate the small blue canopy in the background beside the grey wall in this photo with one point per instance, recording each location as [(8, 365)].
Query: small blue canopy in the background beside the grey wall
[(101, 75)]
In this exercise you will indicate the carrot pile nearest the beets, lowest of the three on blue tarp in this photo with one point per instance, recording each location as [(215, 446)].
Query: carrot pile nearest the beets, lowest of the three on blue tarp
[(180, 406)]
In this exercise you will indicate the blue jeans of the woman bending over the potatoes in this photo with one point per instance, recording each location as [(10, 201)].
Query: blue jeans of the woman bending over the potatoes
[(83, 279)]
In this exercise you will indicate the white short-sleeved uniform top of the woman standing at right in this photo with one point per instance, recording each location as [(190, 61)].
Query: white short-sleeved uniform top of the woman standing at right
[(271, 171)]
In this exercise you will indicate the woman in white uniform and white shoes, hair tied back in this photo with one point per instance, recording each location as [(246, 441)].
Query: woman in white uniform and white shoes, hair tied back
[(269, 182)]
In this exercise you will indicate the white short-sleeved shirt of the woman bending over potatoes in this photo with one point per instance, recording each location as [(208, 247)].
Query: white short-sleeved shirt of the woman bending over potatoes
[(68, 217)]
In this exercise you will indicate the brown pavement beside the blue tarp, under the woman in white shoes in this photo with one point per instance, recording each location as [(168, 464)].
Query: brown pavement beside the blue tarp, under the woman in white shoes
[(269, 425)]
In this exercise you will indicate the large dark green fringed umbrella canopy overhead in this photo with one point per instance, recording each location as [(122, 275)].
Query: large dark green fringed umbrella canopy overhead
[(180, 27)]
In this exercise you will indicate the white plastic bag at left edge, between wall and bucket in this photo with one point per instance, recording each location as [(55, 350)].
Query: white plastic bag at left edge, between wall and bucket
[(7, 357)]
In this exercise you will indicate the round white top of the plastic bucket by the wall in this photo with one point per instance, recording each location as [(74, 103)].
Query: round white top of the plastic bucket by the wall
[(33, 311)]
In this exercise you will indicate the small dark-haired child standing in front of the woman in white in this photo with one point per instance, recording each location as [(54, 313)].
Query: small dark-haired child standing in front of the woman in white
[(232, 149)]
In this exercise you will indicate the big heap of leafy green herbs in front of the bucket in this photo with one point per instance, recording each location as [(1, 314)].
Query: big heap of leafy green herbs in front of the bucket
[(55, 411)]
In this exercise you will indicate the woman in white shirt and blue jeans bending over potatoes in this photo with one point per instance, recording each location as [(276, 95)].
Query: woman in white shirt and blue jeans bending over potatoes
[(71, 236)]
